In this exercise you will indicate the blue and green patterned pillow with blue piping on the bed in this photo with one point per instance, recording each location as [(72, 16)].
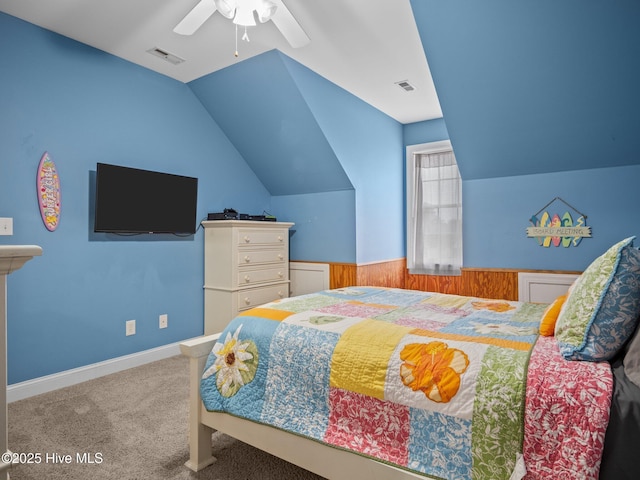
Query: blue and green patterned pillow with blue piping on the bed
[(601, 311)]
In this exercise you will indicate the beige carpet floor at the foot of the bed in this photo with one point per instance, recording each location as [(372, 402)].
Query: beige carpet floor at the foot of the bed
[(130, 425)]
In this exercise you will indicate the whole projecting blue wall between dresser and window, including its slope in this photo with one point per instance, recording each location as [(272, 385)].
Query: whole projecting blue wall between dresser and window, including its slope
[(314, 144)]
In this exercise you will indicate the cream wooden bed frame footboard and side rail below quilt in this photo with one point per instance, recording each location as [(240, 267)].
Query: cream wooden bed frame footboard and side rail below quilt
[(316, 457)]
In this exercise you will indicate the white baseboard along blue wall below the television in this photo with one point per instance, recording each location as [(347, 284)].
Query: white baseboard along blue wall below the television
[(48, 383)]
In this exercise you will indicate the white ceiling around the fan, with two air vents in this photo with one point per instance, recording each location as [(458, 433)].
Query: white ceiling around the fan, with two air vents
[(363, 46)]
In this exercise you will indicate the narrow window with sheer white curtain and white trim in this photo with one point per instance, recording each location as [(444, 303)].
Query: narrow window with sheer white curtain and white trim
[(434, 210)]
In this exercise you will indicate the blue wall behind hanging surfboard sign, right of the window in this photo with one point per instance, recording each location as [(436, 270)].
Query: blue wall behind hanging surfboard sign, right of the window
[(497, 212)]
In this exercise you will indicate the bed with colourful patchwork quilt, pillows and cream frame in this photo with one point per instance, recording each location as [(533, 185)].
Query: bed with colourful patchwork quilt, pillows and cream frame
[(381, 383)]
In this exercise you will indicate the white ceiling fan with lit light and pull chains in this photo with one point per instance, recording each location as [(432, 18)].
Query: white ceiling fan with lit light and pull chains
[(242, 12)]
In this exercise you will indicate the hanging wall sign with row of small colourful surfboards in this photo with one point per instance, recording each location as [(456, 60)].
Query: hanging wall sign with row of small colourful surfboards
[(558, 229)]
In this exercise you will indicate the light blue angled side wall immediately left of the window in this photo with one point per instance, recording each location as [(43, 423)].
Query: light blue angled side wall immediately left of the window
[(369, 147)]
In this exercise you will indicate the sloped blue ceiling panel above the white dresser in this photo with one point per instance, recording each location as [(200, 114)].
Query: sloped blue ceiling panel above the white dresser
[(259, 107)]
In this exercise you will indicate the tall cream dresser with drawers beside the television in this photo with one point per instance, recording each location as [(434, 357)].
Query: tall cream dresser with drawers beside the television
[(246, 264)]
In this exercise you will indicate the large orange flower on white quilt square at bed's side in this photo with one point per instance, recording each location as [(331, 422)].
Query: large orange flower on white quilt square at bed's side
[(434, 369)]
